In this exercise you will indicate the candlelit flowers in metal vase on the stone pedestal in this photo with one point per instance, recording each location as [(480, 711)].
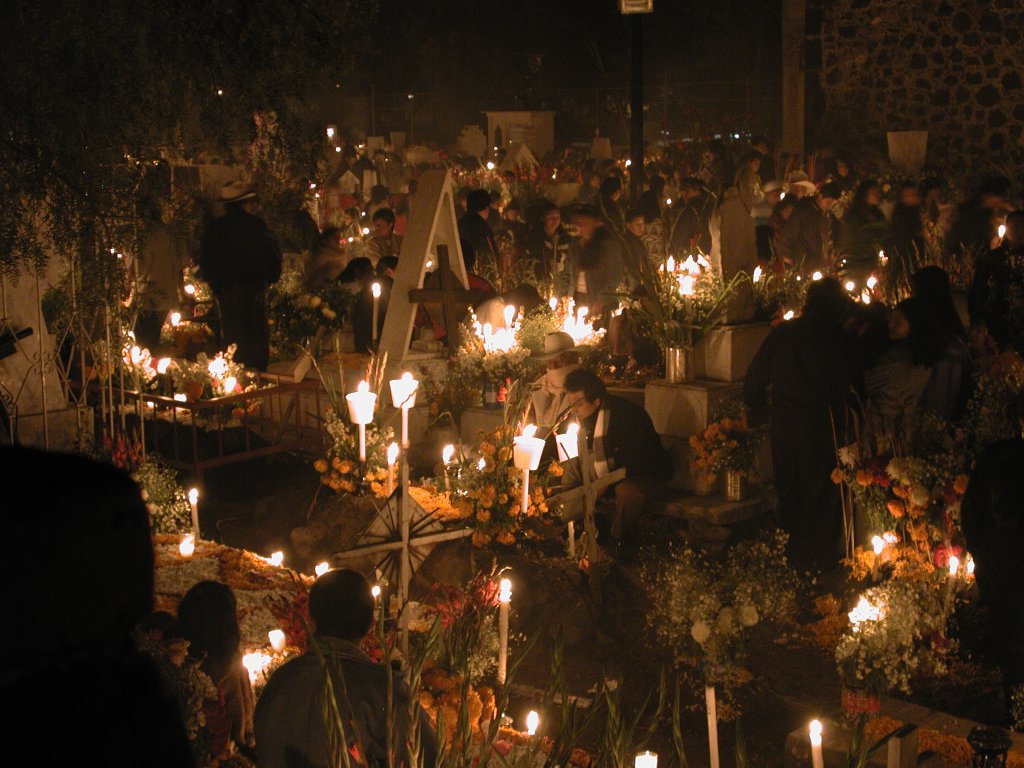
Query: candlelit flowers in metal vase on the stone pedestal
[(682, 301)]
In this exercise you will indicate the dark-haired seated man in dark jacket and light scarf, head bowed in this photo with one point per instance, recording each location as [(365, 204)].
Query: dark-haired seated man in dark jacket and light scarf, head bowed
[(619, 435)]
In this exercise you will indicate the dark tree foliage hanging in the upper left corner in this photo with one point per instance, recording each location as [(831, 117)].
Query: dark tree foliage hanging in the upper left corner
[(99, 95)]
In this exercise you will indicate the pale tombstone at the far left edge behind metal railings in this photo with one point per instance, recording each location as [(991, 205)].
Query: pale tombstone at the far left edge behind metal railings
[(31, 392)]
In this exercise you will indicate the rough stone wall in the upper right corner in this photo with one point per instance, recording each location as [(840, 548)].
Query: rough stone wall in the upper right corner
[(951, 67)]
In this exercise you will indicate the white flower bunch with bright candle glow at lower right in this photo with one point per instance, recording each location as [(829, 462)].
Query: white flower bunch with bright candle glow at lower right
[(895, 630)]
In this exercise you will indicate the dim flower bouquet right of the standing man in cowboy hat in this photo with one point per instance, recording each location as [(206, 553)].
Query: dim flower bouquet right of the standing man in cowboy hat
[(296, 315)]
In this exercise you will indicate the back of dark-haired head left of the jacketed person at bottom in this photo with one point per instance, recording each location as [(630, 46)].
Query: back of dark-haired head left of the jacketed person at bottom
[(208, 619)]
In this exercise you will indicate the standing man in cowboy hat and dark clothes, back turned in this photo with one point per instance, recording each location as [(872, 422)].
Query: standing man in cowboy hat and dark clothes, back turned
[(240, 260)]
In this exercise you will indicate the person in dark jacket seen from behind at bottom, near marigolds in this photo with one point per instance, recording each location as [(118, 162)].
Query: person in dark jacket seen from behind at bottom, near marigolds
[(291, 730)]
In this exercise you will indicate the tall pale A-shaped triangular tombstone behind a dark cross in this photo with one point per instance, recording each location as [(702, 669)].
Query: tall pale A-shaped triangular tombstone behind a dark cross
[(433, 233)]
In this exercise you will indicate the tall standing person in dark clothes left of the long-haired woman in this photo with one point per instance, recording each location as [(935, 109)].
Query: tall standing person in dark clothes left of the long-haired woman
[(806, 365)]
